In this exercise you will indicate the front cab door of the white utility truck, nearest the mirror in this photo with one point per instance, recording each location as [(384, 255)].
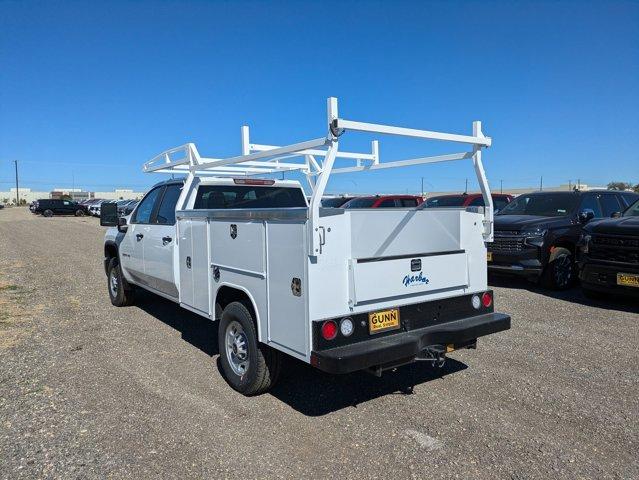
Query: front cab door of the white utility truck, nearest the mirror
[(132, 246)]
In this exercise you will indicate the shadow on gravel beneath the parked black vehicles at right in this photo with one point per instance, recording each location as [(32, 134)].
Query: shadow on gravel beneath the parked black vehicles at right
[(575, 295)]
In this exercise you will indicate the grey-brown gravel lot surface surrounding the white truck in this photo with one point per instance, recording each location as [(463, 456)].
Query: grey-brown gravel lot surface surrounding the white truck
[(89, 390)]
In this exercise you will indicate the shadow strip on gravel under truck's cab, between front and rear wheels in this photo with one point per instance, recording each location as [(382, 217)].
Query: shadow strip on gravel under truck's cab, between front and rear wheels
[(195, 329)]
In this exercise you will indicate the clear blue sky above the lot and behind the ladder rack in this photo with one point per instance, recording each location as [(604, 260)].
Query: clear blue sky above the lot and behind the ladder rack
[(91, 90)]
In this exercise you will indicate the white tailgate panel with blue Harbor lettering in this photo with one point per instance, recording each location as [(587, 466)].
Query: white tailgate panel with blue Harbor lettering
[(380, 278)]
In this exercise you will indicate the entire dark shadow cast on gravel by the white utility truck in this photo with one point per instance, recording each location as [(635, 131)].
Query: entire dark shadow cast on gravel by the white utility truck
[(302, 387)]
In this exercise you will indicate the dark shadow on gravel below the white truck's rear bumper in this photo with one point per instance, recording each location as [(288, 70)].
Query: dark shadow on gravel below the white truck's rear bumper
[(314, 393)]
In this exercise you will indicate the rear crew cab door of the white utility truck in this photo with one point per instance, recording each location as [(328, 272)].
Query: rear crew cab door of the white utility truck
[(159, 242)]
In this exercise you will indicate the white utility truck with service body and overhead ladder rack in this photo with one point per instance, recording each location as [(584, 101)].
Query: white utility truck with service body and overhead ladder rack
[(343, 290)]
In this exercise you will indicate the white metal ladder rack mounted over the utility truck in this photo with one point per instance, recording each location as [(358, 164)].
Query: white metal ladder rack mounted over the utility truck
[(316, 159)]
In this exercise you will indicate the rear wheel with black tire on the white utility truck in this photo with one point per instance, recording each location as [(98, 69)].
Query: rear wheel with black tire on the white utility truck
[(262, 365)]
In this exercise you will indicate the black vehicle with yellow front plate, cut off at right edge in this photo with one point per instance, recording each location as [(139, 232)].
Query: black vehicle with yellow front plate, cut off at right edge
[(609, 255)]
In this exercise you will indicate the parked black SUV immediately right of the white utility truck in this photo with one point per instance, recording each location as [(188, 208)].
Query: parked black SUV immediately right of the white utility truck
[(536, 235)]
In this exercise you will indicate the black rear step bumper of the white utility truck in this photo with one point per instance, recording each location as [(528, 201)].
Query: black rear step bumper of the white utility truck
[(407, 345)]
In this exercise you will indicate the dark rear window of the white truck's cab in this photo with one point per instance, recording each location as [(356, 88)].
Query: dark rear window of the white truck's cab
[(247, 196)]
